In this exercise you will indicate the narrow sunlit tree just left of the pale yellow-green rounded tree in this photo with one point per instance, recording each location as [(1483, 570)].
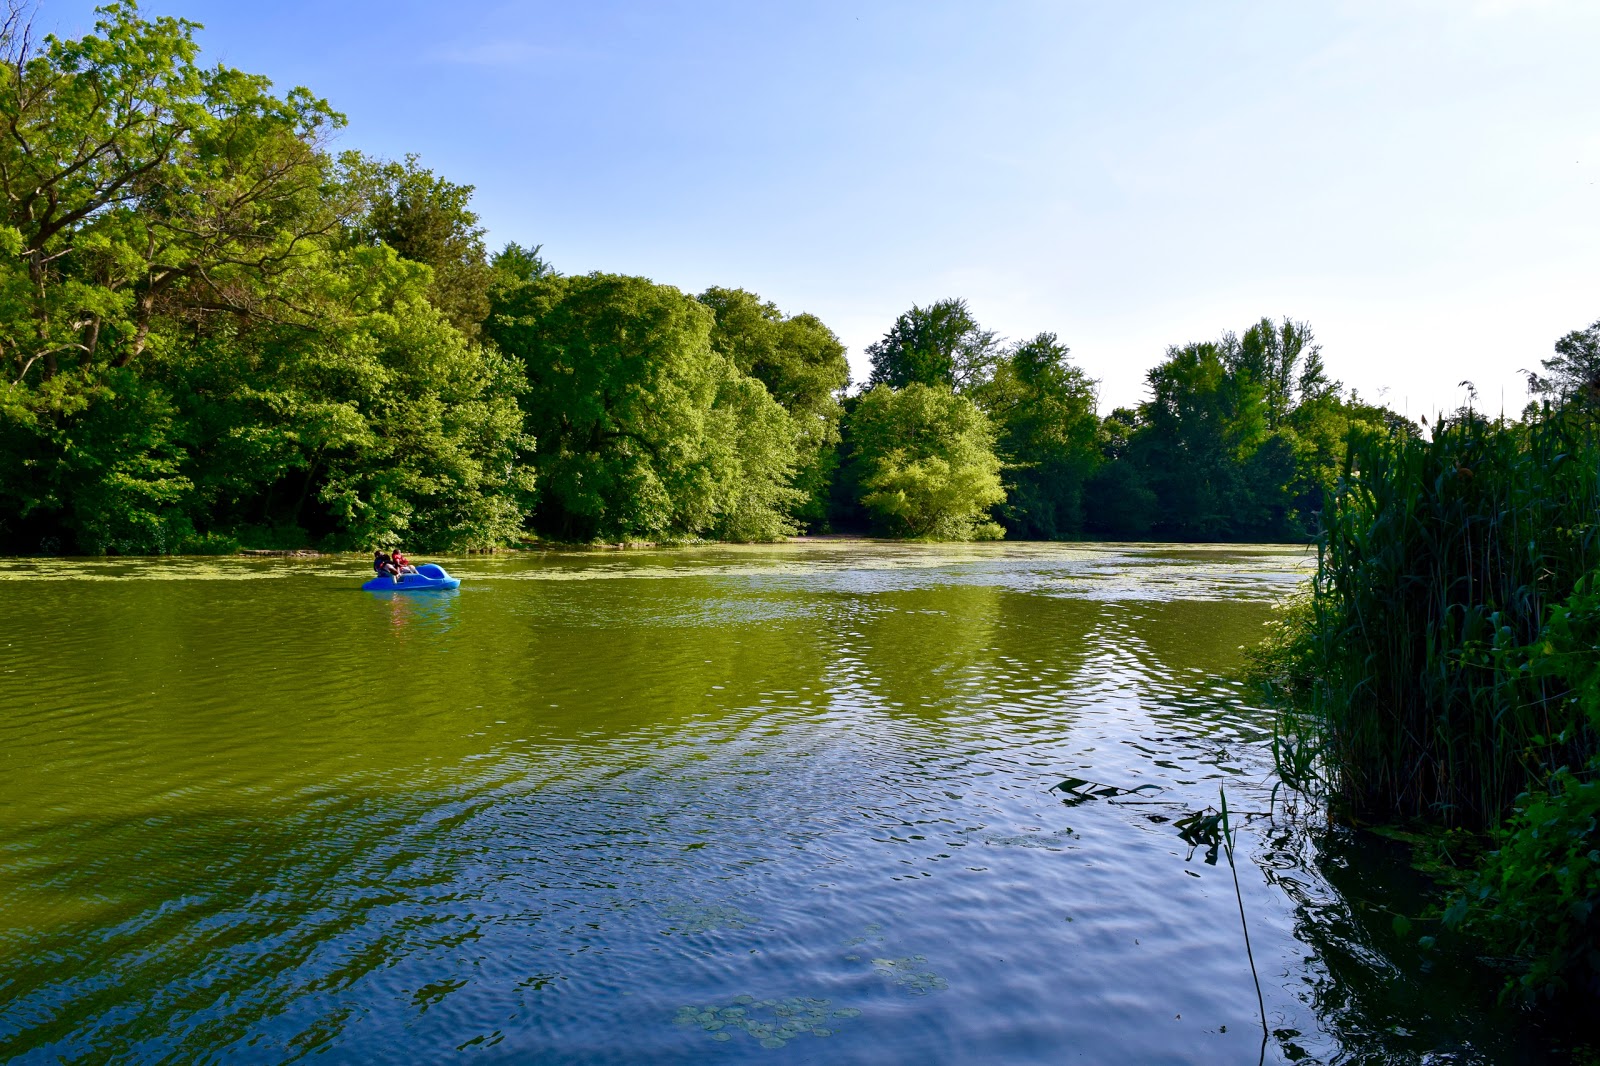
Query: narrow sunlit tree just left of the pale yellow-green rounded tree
[(804, 367)]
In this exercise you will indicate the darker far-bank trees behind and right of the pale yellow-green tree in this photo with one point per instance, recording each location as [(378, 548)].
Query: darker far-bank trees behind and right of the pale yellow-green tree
[(1236, 443)]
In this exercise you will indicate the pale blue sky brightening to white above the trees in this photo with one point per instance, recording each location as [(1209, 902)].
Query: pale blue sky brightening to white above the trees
[(1420, 180)]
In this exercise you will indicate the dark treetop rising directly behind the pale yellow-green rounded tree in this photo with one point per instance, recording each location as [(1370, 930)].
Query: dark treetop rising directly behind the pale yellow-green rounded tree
[(940, 345)]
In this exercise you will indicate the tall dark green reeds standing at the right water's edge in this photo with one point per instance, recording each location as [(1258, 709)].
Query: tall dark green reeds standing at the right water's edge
[(1438, 567)]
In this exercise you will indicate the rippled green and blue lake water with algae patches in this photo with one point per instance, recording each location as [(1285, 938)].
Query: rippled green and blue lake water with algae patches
[(761, 804)]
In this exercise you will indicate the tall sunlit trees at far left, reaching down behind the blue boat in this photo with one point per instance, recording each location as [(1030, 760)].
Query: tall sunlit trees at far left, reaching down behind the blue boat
[(194, 343)]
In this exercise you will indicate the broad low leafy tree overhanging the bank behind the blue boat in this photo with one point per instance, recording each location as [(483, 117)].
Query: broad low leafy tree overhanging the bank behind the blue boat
[(383, 425)]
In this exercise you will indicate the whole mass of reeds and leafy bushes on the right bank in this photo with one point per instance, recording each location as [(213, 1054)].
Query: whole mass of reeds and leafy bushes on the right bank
[(1442, 676)]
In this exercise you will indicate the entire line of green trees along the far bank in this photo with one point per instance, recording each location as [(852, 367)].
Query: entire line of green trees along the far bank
[(218, 332)]
